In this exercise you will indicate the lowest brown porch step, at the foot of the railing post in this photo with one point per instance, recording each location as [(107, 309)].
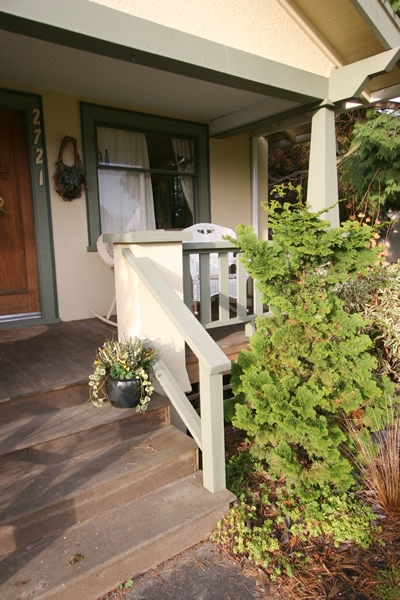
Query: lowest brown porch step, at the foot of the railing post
[(115, 545)]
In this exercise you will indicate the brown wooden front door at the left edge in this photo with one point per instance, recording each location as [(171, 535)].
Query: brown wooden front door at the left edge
[(19, 290)]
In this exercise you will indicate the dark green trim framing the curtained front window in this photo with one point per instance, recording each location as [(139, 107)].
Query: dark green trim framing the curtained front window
[(93, 115)]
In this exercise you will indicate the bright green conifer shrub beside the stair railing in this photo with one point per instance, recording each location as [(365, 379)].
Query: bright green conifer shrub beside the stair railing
[(308, 365)]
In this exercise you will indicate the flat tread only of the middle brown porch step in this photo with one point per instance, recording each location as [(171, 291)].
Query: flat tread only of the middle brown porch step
[(81, 476)]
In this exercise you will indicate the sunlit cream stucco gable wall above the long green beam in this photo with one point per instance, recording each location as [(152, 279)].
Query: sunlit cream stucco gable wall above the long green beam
[(261, 27)]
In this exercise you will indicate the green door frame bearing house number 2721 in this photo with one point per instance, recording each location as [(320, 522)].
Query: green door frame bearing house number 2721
[(31, 106)]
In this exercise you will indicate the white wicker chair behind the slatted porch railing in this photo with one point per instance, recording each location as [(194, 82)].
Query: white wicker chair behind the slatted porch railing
[(208, 232)]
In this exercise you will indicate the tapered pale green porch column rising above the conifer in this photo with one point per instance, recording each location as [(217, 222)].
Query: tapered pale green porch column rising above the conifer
[(322, 191)]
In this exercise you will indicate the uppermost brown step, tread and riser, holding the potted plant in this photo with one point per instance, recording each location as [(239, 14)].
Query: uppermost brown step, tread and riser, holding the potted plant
[(42, 430)]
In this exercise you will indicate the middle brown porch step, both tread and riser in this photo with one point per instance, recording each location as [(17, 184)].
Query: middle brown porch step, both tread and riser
[(36, 505)]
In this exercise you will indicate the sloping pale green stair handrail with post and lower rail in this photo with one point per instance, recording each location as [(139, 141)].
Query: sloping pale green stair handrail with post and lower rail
[(208, 428)]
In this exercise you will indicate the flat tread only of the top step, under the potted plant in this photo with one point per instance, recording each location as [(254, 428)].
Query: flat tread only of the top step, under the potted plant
[(30, 422)]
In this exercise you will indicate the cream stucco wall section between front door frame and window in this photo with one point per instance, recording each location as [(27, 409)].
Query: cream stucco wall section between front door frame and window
[(83, 280)]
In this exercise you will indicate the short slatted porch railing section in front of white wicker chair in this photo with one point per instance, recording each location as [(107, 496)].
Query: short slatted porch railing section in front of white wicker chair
[(248, 303)]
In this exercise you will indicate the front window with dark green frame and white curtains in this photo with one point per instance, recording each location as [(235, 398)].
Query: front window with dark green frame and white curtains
[(144, 171)]
